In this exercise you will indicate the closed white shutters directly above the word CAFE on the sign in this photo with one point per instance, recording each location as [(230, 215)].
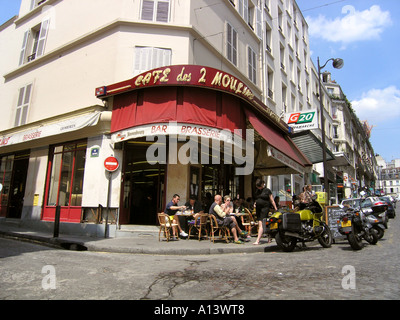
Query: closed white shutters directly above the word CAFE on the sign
[(148, 58)]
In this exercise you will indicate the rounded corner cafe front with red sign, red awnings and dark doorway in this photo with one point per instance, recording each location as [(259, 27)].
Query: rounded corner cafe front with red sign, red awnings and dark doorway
[(192, 130)]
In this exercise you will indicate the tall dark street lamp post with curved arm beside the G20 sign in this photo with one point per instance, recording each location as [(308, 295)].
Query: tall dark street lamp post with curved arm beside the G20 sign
[(337, 64)]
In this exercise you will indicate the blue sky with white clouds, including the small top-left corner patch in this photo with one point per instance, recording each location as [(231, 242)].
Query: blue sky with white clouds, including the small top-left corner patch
[(365, 34)]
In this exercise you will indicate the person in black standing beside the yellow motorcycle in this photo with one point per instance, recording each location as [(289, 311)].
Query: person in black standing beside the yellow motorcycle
[(264, 202)]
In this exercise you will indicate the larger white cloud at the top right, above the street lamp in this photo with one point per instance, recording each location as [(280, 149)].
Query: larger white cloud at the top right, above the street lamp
[(354, 26)]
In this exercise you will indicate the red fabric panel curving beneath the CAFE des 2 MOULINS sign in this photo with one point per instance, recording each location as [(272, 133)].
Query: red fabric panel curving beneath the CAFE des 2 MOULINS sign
[(188, 105)]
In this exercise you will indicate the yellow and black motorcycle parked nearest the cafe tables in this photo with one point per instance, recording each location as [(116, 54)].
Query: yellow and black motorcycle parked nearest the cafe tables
[(305, 225)]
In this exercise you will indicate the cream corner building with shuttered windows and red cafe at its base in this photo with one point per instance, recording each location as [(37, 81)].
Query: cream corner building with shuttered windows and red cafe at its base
[(57, 129)]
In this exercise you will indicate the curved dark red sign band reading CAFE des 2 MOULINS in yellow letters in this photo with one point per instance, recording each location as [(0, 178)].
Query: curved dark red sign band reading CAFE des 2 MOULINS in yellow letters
[(195, 76)]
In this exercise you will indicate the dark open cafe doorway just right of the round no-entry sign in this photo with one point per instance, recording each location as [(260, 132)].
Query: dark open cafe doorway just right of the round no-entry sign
[(143, 186)]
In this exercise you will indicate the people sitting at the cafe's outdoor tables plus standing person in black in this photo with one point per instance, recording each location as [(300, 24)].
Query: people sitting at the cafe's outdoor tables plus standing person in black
[(224, 212)]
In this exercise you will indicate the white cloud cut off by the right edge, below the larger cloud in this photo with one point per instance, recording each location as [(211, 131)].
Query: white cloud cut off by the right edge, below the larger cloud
[(378, 106)]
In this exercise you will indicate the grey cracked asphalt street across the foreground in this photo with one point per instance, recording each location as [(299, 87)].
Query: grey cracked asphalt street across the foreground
[(307, 273)]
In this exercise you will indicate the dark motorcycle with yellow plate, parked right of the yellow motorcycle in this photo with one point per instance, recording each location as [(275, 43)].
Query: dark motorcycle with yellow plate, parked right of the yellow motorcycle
[(355, 225)]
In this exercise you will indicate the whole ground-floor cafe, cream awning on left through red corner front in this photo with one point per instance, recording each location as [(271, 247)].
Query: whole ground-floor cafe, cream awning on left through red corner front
[(185, 129)]
